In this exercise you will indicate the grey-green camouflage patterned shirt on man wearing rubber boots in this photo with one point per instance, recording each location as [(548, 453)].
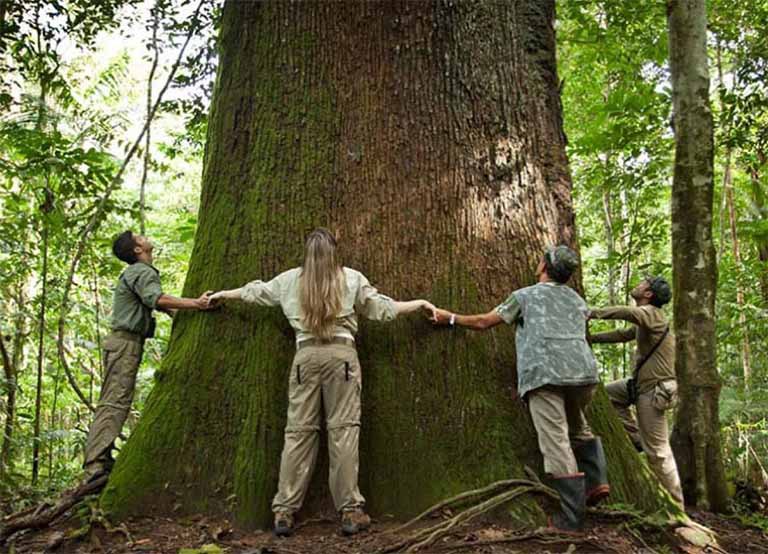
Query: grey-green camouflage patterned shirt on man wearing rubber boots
[(551, 339)]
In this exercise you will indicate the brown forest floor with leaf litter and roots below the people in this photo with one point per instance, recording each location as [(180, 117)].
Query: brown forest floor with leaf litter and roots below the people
[(201, 535)]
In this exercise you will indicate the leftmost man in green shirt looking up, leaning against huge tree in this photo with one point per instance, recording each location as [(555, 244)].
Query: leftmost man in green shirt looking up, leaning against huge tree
[(137, 293)]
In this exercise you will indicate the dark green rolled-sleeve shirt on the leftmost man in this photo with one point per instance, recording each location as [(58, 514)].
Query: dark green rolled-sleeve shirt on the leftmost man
[(136, 295)]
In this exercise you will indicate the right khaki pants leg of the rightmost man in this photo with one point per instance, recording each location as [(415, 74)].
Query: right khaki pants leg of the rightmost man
[(655, 436)]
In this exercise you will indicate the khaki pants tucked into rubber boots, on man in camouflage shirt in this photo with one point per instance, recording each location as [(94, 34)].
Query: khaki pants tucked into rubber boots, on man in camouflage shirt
[(558, 416)]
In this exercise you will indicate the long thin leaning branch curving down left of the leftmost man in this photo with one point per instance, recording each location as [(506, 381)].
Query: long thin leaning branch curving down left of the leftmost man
[(101, 205)]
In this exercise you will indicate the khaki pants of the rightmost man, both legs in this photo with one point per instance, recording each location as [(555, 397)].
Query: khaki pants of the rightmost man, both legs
[(650, 430)]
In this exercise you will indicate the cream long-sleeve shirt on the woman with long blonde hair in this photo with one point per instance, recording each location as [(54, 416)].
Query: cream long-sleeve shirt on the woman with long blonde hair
[(360, 298)]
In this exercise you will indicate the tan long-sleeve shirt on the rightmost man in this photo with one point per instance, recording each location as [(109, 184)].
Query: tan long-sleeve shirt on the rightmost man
[(649, 326)]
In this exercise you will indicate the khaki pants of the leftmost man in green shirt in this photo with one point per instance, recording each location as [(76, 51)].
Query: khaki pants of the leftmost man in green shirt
[(122, 357)]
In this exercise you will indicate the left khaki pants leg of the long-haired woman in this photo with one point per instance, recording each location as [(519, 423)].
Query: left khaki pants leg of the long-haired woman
[(302, 430)]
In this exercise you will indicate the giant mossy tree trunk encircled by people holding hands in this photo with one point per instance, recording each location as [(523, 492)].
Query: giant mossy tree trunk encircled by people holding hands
[(428, 136)]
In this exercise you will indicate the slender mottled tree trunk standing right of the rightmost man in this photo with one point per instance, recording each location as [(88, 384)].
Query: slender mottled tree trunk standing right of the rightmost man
[(696, 438)]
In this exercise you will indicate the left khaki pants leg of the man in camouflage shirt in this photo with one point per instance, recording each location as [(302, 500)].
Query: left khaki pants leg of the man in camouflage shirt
[(547, 406)]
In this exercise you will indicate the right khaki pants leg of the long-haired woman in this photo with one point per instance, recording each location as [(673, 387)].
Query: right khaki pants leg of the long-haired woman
[(342, 386)]
